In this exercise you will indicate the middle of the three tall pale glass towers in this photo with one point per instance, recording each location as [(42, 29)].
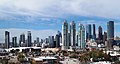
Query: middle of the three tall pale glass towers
[(73, 34)]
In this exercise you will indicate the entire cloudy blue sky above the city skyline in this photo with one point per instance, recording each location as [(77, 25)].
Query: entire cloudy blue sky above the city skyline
[(45, 17)]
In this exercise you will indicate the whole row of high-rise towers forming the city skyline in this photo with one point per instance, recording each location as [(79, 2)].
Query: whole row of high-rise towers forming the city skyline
[(69, 34)]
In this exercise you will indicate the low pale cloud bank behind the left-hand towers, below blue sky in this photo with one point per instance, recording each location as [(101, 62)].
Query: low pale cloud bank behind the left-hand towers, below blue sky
[(35, 33)]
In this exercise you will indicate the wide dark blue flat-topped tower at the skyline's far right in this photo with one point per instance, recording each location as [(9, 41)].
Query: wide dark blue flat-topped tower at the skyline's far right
[(110, 33)]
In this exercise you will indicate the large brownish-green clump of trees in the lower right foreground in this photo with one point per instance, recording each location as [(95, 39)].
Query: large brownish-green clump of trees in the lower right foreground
[(96, 55)]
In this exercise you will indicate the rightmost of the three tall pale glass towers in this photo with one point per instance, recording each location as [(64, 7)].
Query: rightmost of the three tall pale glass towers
[(81, 36)]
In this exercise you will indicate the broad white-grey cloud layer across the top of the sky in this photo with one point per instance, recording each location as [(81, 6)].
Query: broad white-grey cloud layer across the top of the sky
[(61, 8)]
